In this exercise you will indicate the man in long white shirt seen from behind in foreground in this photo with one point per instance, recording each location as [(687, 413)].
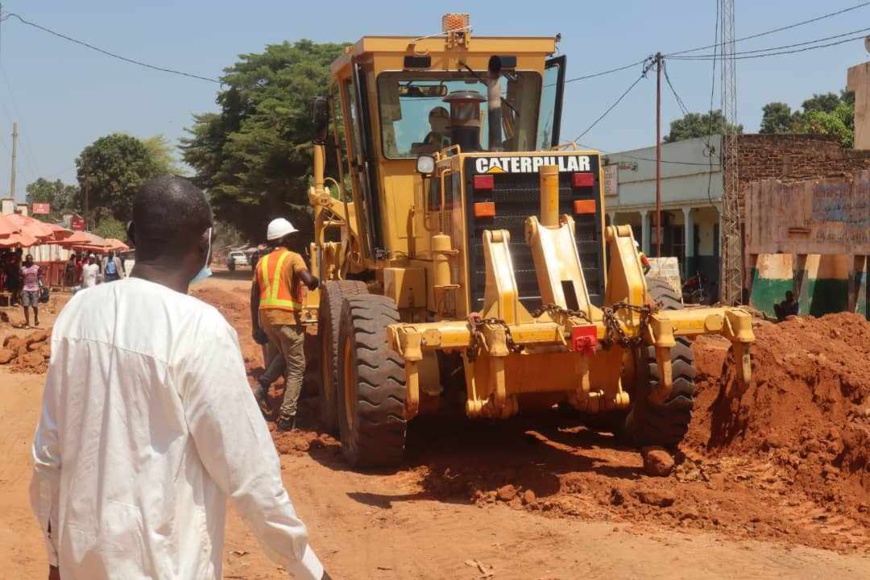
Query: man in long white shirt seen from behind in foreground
[(144, 436)]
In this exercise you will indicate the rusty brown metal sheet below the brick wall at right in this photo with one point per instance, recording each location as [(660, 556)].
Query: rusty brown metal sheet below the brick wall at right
[(823, 216)]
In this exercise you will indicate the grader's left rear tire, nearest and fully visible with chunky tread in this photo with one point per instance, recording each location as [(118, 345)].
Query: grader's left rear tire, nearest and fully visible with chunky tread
[(372, 384)]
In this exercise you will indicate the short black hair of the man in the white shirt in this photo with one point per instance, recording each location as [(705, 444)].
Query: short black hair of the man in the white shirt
[(170, 214)]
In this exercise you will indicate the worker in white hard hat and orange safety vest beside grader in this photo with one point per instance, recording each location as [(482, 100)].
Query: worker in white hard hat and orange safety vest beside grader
[(276, 303)]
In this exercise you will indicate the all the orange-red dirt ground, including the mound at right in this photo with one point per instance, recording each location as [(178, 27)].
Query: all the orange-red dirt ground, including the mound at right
[(777, 486)]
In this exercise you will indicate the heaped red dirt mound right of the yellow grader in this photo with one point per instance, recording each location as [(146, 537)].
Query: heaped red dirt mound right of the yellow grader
[(807, 410)]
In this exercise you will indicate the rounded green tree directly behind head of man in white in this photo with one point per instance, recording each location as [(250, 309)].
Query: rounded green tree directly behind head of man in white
[(112, 169)]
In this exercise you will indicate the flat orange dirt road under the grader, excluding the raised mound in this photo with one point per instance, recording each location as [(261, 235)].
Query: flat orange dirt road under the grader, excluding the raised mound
[(524, 500)]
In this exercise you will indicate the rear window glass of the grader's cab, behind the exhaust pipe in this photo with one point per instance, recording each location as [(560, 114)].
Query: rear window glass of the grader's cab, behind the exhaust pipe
[(415, 117)]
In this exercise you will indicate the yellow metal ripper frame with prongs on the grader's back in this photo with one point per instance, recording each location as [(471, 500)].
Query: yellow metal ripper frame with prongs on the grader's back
[(497, 374)]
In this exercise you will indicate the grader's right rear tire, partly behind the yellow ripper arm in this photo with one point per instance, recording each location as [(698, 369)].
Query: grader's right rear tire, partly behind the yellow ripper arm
[(665, 424)]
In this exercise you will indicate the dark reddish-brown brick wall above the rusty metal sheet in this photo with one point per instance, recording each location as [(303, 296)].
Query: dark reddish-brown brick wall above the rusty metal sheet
[(796, 157)]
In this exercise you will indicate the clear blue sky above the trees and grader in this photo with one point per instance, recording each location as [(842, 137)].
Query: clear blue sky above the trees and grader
[(64, 96)]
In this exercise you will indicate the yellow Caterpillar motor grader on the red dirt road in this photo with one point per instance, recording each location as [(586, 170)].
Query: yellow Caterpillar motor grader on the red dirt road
[(465, 258)]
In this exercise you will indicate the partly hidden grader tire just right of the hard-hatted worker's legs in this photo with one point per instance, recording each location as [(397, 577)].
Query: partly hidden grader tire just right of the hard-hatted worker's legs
[(332, 295)]
